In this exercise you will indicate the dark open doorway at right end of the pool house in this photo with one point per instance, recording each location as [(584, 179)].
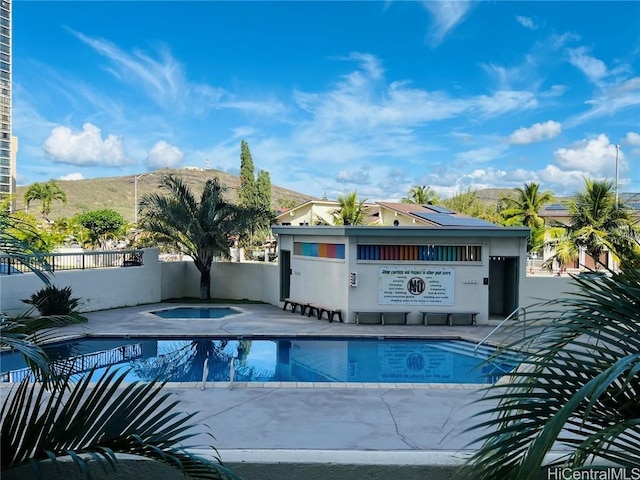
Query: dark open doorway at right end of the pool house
[(503, 286)]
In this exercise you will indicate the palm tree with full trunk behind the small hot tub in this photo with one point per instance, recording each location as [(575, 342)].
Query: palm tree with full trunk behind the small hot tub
[(203, 229)]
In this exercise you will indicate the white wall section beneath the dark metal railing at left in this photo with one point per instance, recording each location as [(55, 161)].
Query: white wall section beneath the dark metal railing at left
[(98, 289)]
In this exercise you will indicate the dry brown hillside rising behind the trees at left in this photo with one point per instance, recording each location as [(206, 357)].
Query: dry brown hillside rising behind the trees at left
[(118, 193)]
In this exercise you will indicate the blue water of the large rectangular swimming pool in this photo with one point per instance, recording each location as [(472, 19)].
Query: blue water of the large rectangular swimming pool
[(278, 360)]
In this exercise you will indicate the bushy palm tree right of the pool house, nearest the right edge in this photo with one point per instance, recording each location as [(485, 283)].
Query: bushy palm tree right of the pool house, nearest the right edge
[(597, 222)]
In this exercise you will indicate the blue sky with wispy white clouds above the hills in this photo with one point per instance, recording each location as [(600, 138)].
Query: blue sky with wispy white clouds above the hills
[(332, 97)]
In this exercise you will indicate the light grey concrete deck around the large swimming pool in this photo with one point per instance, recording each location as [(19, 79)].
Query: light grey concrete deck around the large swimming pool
[(368, 424)]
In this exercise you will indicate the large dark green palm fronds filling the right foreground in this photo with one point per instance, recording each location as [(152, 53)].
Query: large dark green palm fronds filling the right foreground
[(576, 391)]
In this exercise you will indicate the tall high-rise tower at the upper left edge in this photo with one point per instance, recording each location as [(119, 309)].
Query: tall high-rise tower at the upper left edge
[(8, 145)]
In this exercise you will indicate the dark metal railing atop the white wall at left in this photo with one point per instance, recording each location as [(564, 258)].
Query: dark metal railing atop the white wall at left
[(76, 261)]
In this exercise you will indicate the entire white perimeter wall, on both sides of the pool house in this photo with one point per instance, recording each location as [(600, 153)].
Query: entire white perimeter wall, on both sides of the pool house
[(105, 288)]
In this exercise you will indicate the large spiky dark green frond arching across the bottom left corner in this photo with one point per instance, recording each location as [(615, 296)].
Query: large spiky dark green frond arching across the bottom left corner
[(97, 421)]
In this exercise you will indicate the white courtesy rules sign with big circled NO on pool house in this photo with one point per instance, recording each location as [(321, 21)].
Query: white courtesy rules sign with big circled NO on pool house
[(416, 285)]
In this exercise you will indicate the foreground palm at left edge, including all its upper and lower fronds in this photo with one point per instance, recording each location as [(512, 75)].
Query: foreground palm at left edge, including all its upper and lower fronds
[(84, 420)]
